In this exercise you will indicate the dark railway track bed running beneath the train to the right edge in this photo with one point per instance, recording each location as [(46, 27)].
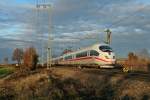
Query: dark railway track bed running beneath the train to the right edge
[(102, 71)]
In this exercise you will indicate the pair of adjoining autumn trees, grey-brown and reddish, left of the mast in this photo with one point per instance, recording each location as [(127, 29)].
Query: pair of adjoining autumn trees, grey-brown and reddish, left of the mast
[(27, 58)]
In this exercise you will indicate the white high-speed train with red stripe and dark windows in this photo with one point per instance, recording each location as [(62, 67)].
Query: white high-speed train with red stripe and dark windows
[(99, 55)]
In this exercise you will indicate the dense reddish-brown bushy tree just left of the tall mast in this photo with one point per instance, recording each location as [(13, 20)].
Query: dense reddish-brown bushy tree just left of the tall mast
[(30, 58)]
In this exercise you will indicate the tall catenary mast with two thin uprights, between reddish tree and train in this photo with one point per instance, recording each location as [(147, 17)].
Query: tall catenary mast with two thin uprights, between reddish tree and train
[(43, 5)]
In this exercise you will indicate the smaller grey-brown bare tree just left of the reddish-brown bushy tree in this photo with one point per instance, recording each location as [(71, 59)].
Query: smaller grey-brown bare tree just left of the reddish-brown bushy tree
[(18, 55)]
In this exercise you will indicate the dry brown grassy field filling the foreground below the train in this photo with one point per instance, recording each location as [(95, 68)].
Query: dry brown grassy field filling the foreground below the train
[(67, 83)]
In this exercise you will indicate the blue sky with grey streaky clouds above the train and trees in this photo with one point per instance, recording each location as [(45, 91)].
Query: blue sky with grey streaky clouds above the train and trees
[(74, 24)]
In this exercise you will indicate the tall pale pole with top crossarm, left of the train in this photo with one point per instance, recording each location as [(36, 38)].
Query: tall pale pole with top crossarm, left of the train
[(42, 4)]
